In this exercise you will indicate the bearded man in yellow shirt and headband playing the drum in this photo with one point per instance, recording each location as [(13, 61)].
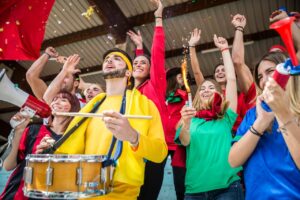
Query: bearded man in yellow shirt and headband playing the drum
[(142, 139)]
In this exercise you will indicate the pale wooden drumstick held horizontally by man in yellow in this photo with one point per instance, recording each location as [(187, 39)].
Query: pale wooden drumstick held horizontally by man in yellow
[(74, 114)]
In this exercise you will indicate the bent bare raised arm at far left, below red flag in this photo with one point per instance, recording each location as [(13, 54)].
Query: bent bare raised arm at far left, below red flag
[(38, 86)]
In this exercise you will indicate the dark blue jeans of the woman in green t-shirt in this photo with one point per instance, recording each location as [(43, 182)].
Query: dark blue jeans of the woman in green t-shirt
[(233, 192)]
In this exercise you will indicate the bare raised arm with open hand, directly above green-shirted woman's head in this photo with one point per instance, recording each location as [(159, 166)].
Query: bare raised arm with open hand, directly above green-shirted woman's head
[(194, 40)]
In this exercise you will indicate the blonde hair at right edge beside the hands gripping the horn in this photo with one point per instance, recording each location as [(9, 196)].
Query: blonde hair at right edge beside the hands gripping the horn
[(294, 94)]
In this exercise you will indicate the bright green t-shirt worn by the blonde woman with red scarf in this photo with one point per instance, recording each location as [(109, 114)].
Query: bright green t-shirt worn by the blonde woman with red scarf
[(207, 154)]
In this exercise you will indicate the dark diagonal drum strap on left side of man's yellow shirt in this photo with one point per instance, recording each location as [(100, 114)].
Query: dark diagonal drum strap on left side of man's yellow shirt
[(58, 143)]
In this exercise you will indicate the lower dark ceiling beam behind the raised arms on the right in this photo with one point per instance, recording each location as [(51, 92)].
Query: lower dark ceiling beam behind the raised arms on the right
[(249, 37)]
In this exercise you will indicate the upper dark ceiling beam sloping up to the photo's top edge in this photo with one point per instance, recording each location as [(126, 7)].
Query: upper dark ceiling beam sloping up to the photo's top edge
[(138, 20)]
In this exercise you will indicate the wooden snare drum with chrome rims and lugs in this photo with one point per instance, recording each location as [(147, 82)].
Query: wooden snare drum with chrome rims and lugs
[(54, 176)]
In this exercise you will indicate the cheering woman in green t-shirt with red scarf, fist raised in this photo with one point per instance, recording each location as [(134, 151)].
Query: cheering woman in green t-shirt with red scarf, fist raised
[(205, 130)]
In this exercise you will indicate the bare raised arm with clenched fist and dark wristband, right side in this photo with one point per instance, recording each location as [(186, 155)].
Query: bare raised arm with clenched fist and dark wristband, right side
[(244, 76)]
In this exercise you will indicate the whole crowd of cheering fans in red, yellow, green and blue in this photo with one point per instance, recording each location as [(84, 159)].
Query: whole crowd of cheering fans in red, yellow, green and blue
[(223, 146)]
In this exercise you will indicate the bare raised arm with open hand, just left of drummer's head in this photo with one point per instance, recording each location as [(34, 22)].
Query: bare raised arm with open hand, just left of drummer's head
[(68, 69)]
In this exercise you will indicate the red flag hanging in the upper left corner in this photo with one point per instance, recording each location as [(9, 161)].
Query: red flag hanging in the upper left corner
[(22, 28)]
